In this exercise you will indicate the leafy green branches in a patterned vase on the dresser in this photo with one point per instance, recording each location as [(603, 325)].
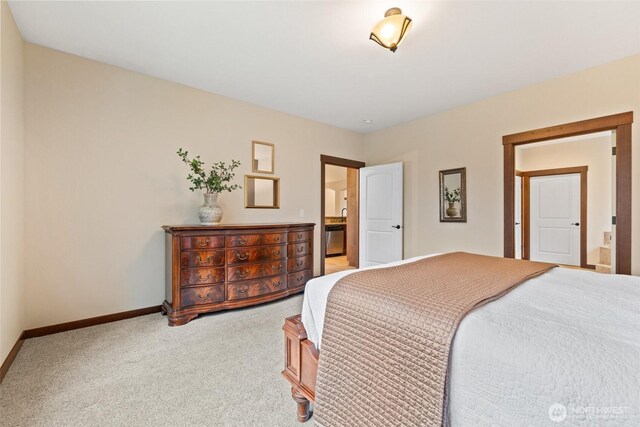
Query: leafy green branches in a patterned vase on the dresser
[(213, 183)]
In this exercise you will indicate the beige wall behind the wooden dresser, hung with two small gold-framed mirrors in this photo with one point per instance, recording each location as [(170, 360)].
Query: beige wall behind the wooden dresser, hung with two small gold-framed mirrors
[(103, 177)]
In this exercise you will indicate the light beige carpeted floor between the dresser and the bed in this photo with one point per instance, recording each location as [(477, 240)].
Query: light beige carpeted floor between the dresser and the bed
[(221, 369)]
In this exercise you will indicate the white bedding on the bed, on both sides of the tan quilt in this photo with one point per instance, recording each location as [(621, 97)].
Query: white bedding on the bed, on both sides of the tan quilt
[(560, 349)]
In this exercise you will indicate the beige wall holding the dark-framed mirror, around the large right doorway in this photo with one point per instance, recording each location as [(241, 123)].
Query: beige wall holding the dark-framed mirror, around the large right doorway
[(471, 136)]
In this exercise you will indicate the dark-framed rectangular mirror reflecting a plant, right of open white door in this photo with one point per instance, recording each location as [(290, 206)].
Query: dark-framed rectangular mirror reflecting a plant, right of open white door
[(453, 195)]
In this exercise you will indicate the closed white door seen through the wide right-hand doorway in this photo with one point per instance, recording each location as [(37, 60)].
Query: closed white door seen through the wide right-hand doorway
[(555, 219)]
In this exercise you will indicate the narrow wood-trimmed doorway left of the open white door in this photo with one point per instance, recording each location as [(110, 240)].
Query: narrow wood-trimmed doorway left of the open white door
[(339, 213)]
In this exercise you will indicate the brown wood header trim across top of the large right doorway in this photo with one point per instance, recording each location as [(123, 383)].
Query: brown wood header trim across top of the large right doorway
[(570, 129)]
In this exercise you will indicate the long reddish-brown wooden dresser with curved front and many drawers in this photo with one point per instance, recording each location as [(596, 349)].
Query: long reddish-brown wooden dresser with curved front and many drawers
[(231, 266)]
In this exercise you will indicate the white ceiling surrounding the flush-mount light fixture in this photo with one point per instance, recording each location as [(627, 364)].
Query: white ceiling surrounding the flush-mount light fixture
[(314, 59)]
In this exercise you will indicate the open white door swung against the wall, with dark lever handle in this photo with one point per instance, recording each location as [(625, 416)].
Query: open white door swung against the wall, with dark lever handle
[(381, 203)]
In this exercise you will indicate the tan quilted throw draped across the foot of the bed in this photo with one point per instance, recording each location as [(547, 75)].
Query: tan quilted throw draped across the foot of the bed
[(388, 333)]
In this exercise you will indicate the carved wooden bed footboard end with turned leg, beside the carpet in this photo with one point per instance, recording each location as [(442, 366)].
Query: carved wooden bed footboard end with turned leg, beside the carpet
[(300, 365)]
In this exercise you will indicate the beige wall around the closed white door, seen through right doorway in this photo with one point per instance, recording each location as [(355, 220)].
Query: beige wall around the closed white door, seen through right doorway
[(592, 152)]
